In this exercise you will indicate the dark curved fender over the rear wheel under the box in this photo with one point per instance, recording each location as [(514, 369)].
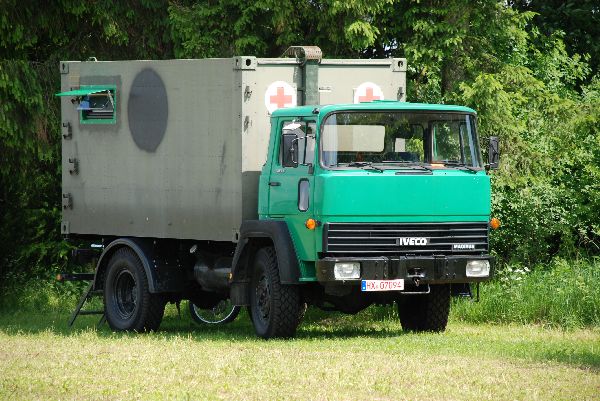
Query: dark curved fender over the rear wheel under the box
[(141, 249)]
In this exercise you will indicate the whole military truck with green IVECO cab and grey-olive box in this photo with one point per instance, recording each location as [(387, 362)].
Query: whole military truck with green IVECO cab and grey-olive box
[(272, 183)]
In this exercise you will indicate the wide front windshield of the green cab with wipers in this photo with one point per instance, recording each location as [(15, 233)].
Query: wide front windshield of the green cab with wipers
[(355, 139)]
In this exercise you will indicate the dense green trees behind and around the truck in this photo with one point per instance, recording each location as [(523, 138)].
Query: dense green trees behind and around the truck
[(530, 69)]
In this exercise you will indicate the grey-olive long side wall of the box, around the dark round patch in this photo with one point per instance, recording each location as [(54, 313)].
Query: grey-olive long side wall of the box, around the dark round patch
[(189, 186)]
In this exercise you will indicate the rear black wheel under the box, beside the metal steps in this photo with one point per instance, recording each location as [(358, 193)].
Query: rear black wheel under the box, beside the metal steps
[(128, 304)]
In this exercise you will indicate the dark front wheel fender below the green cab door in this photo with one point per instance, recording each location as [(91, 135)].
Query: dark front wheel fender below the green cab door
[(278, 233)]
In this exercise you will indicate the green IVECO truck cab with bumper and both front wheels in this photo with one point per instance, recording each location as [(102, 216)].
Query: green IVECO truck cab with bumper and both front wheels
[(383, 201)]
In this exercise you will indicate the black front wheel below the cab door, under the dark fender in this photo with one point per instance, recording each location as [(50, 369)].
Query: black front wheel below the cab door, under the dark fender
[(275, 309)]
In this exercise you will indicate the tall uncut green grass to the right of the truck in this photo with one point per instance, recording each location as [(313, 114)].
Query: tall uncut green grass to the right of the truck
[(561, 293)]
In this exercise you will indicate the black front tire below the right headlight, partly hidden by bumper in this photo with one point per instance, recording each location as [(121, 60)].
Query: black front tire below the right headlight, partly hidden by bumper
[(425, 312)]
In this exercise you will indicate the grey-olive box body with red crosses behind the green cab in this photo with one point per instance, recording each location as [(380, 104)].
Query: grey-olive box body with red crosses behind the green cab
[(183, 154)]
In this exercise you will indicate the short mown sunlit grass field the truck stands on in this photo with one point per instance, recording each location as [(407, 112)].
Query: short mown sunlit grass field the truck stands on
[(366, 356)]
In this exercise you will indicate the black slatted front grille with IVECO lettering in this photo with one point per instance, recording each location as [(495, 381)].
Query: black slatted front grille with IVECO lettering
[(393, 238)]
